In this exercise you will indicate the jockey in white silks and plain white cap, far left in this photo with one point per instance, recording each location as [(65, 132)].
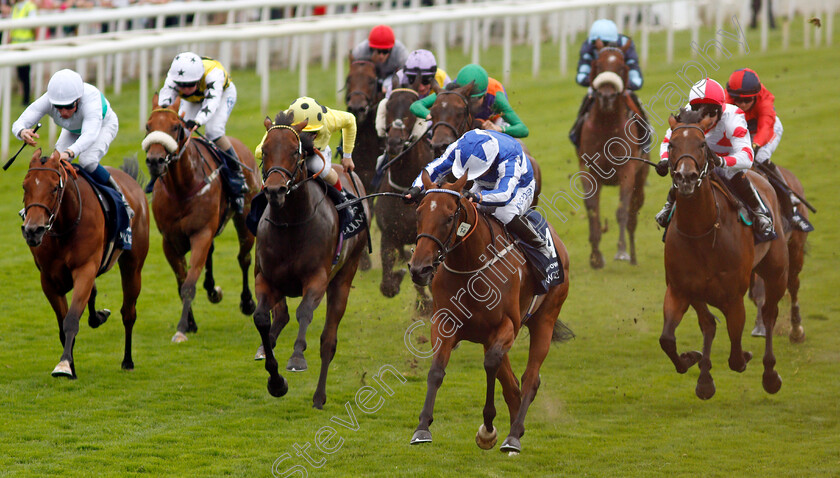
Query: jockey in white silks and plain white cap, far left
[(88, 123)]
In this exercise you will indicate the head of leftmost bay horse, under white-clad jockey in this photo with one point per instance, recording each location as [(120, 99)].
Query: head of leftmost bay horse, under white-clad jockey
[(43, 190)]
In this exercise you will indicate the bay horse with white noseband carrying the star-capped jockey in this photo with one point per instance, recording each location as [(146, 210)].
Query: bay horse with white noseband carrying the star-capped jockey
[(190, 208)]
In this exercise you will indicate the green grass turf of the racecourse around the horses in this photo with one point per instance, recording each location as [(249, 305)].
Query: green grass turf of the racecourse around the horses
[(610, 402)]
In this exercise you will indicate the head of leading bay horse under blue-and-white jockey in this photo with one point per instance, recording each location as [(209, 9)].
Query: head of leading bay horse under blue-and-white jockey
[(440, 219)]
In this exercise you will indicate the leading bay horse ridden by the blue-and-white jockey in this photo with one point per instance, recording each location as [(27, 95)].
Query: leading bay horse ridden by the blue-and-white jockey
[(472, 304)]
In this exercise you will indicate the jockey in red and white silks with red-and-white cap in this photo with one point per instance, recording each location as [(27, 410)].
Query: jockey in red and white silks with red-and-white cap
[(729, 139)]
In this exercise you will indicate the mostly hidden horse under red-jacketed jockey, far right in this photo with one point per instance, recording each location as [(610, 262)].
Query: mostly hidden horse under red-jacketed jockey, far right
[(796, 253)]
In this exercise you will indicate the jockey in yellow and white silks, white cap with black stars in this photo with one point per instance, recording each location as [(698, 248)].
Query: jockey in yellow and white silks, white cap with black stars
[(208, 96)]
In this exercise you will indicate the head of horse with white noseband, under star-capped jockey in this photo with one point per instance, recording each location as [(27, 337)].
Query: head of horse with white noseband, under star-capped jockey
[(165, 137)]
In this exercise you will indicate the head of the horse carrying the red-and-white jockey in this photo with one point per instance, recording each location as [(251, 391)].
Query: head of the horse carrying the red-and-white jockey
[(688, 154)]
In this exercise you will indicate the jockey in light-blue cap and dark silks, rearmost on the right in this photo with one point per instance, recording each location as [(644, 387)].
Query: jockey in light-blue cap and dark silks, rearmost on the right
[(606, 31)]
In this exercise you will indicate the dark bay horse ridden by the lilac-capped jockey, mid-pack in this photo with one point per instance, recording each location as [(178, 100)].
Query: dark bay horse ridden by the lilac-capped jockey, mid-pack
[(396, 219)]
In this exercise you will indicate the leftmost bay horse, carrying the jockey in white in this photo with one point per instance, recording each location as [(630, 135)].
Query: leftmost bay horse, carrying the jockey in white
[(65, 229)]
